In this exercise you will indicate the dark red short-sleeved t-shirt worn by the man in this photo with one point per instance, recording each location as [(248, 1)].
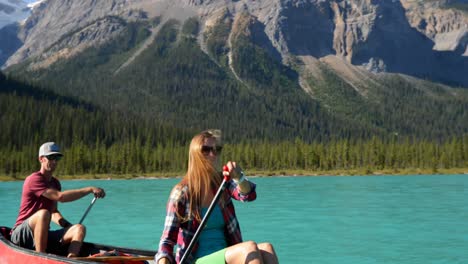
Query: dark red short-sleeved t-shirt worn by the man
[(32, 200)]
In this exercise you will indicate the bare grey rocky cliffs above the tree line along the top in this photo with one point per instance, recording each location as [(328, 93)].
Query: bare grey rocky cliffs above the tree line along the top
[(425, 39)]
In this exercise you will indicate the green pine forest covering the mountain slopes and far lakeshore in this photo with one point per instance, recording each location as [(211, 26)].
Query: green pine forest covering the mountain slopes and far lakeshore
[(140, 120)]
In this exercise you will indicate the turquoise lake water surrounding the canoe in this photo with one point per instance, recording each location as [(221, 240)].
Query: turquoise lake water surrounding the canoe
[(327, 220)]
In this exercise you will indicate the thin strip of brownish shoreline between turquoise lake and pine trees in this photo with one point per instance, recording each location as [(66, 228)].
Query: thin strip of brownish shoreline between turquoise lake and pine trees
[(261, 173)]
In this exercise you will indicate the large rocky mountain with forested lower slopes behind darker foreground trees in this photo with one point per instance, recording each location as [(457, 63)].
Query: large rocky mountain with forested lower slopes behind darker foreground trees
[(308, 66)]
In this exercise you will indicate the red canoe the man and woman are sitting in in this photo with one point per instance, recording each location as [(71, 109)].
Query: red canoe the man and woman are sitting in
[(90, 253)]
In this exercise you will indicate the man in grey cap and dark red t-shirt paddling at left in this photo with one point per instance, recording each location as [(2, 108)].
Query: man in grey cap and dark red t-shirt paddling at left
[(41, 192)]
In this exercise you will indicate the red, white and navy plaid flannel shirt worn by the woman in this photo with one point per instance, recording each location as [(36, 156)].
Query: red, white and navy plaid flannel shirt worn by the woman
[(182, 233)]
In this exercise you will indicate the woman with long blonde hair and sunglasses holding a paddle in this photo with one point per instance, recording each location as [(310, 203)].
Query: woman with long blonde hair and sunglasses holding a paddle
[(220, 241)]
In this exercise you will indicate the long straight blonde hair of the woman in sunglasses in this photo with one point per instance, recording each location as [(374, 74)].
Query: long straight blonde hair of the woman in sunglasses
[(202, 175)]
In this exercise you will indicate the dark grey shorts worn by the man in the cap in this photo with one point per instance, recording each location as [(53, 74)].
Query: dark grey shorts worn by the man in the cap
[(22, 236)]
